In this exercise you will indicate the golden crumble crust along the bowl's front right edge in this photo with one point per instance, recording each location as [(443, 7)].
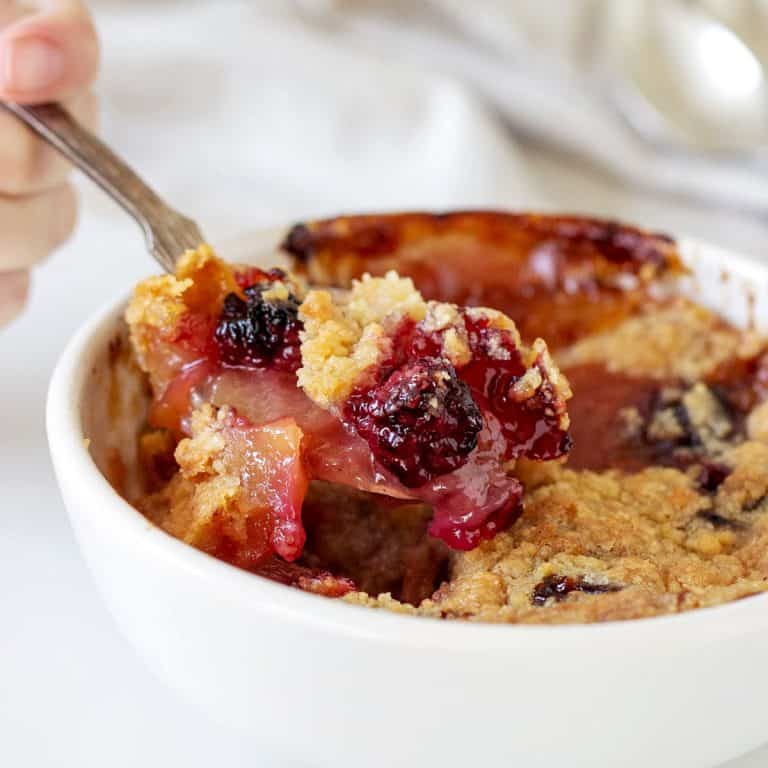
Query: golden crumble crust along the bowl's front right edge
[(651, 540)]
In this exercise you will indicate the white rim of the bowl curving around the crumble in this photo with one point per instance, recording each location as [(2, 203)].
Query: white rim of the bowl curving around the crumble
[(71, 459)]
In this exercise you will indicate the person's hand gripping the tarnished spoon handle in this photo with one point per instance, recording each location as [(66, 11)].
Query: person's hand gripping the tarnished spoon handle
[(48, 52)]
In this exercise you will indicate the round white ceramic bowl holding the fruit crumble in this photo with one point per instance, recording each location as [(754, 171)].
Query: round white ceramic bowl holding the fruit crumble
[(330, 684)]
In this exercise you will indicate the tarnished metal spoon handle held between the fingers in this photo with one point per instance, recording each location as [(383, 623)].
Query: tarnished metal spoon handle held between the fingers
[(167, 233)]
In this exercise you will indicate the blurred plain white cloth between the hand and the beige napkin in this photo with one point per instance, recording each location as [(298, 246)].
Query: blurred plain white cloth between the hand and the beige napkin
[(238, 109)]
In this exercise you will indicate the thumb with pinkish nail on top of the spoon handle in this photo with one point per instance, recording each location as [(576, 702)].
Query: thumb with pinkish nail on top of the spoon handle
[(48, 56)]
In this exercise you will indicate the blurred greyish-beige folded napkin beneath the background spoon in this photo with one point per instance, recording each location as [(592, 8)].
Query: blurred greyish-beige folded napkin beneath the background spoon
[(528, 59)]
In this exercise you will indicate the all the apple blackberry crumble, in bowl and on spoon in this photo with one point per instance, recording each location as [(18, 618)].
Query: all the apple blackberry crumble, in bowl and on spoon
[(383, 421)]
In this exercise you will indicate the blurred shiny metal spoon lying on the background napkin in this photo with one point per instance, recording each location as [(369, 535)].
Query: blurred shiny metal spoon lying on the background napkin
[(684, 79)]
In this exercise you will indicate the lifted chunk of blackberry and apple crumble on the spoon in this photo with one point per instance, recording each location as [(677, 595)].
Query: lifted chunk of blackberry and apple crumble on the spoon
[(268, 386)]
